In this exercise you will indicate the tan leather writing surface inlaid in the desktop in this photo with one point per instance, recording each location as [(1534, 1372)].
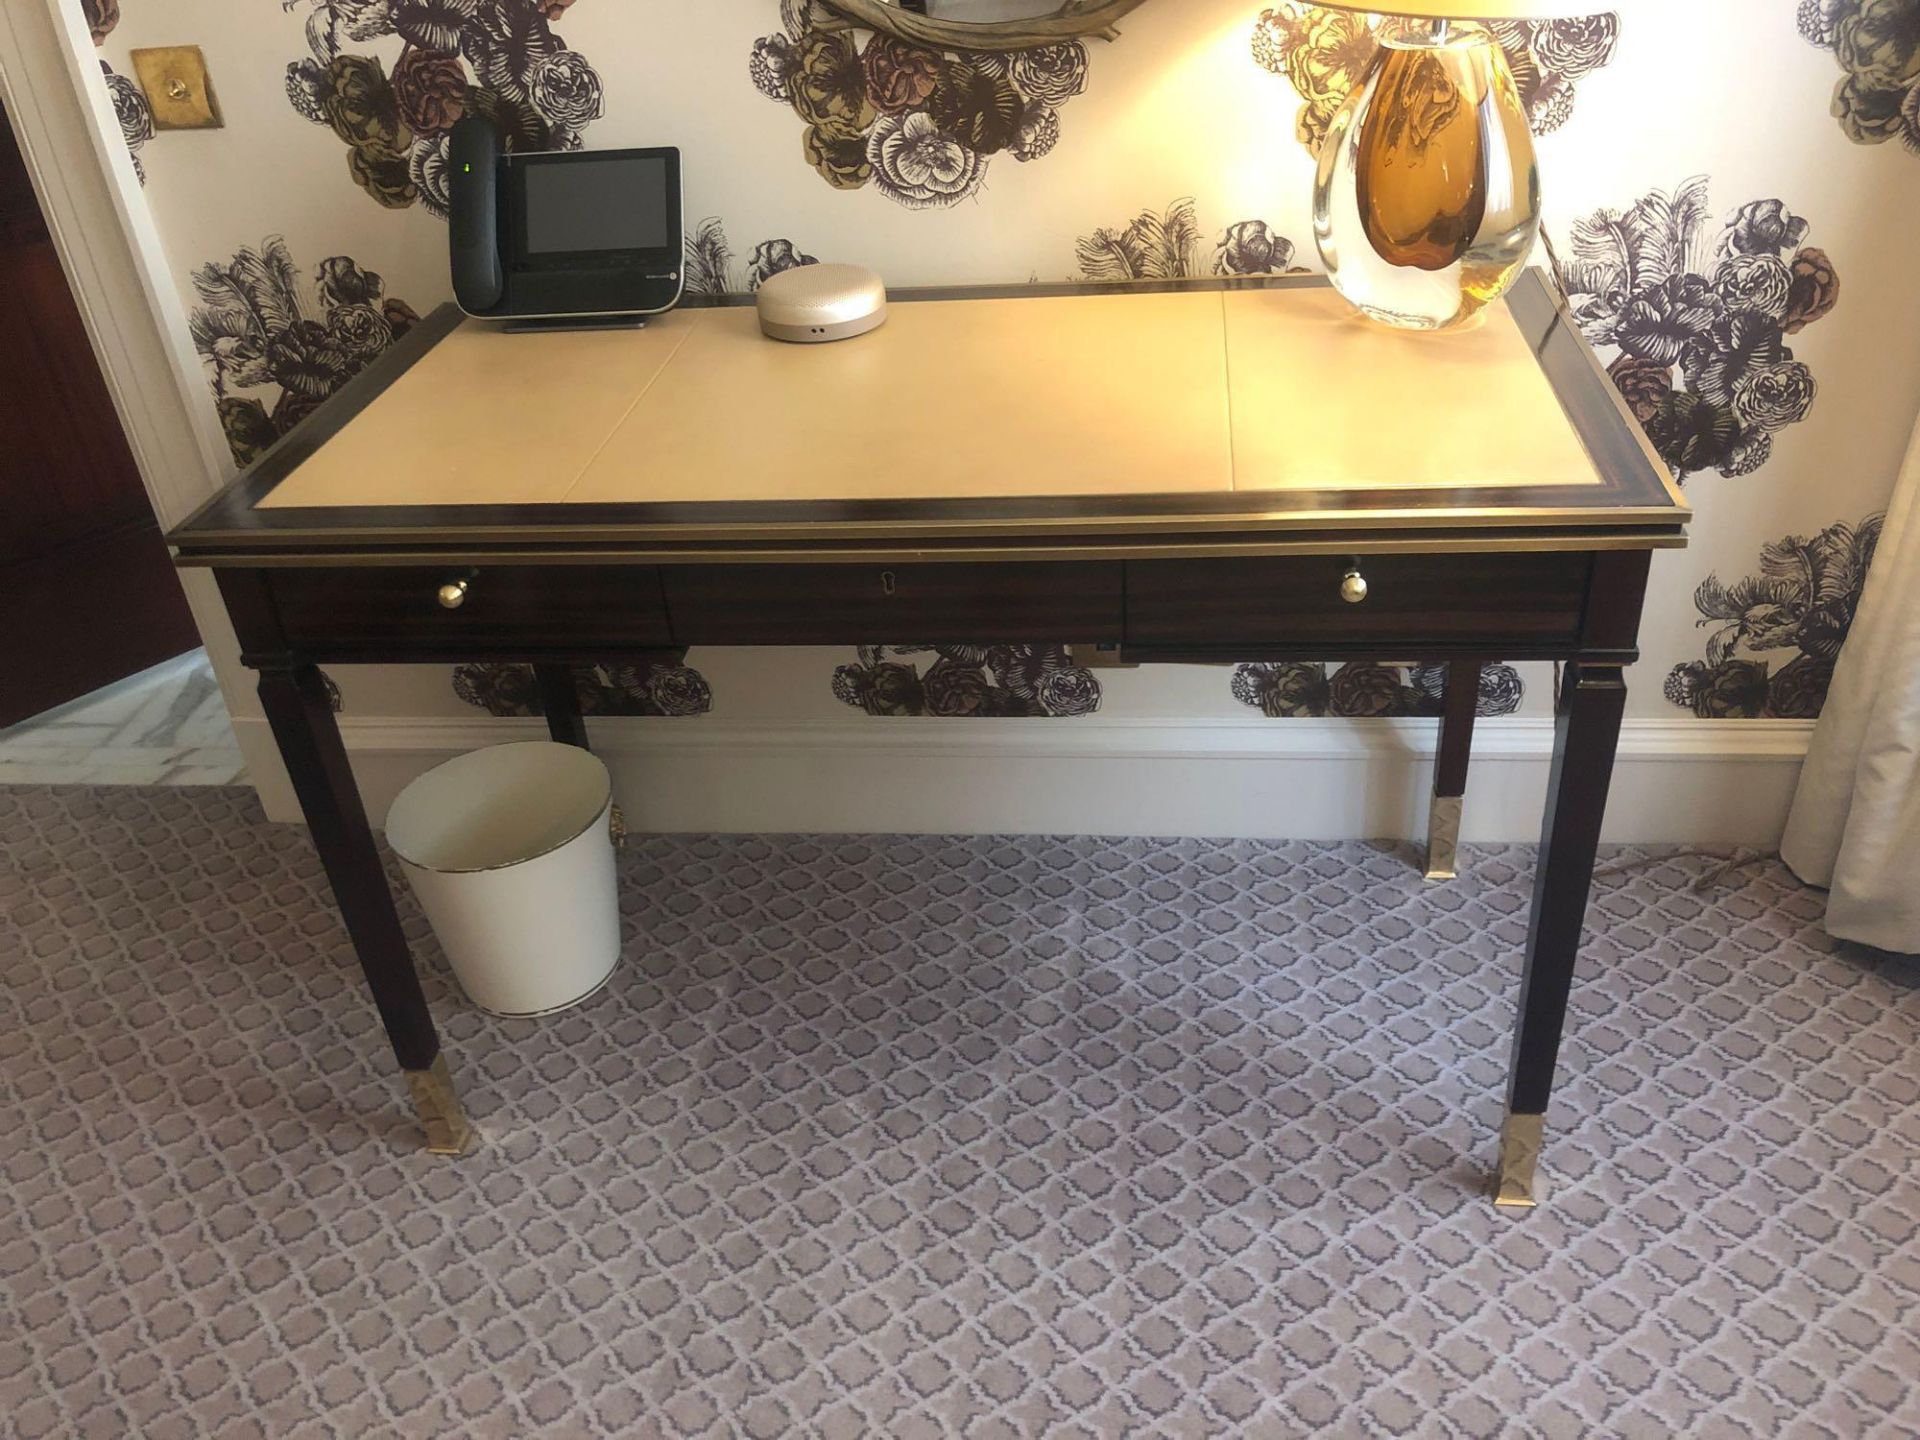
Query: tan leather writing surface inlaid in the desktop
[(1264, 391)]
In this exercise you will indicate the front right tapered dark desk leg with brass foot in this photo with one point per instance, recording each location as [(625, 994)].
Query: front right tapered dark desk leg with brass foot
[(1585, 740)]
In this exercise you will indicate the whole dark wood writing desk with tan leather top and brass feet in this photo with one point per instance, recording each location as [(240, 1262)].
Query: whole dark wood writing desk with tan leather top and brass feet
[(1211, 471)]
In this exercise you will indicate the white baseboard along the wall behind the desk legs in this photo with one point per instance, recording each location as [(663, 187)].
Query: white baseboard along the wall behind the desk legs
[(1683, 780)]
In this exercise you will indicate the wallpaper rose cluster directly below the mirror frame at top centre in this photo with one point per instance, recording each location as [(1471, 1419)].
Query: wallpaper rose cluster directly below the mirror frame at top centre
[(919, 126)]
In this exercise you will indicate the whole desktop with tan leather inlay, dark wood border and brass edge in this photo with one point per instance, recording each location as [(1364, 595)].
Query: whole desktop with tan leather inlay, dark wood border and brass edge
[(1020, 420)]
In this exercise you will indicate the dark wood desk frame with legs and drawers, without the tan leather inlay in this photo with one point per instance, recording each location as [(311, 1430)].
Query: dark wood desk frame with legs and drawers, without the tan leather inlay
[(1462, 575)]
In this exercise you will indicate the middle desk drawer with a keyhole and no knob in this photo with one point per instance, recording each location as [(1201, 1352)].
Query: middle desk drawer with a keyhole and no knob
[(894, 604)]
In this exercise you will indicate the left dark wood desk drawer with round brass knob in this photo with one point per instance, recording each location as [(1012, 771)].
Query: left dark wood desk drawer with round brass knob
[(508, 612)]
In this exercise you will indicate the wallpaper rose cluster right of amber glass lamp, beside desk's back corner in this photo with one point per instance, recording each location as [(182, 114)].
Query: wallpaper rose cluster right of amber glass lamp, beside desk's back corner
[(1700, 322)]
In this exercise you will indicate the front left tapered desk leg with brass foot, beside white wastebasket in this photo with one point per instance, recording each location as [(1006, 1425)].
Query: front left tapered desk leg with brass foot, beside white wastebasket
[(318, 763)]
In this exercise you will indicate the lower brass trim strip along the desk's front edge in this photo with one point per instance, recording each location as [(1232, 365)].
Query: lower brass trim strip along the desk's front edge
[(295, 560)]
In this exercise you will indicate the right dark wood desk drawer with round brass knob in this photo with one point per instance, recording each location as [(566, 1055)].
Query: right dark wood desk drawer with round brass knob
[(1522, 602)]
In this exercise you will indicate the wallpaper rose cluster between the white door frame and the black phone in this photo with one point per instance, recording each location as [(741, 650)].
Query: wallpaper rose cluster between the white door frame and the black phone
[(262, 327)]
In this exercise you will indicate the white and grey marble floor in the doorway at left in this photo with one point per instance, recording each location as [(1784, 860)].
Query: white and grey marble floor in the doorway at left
[(166, 727)]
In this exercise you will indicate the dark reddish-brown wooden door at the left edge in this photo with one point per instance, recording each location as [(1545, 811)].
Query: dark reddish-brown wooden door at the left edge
[(87, 590)]
